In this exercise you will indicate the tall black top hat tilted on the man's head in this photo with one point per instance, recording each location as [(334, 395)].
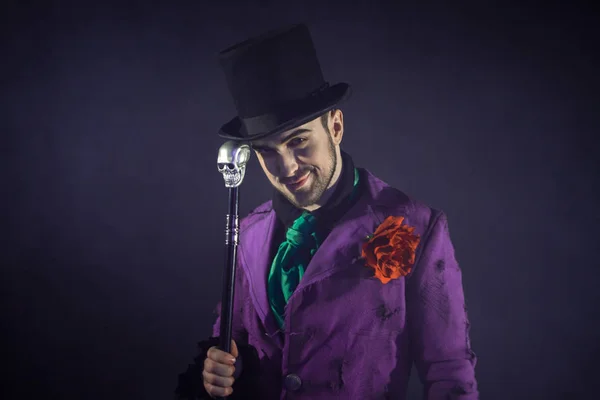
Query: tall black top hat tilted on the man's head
[(276, 83)]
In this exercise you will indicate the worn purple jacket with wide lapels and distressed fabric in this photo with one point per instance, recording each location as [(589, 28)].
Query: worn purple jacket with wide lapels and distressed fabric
[(347, 335)]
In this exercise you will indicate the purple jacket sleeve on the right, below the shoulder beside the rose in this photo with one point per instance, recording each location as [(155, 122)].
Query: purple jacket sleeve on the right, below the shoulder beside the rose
[(437, 319)]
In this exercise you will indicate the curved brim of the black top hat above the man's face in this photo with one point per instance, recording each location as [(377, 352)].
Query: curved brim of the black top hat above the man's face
[(326, 101)]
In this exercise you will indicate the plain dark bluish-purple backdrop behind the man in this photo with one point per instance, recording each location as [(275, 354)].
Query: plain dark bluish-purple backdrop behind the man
[(114, 210)]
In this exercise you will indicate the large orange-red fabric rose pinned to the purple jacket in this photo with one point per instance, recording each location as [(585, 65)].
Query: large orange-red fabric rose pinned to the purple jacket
[(390, 251)]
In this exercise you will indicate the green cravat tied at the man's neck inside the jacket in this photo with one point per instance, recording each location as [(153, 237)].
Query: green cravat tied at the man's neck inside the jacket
[(294, 253)]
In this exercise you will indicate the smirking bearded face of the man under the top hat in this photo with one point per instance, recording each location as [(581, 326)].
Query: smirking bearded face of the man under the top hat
[(302, 163)]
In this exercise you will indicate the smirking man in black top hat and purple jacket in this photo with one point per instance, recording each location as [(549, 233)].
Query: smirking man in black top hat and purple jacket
[(343, 282)]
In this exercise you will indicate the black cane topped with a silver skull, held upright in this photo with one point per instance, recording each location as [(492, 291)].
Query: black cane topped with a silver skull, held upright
[(231, 161)]
